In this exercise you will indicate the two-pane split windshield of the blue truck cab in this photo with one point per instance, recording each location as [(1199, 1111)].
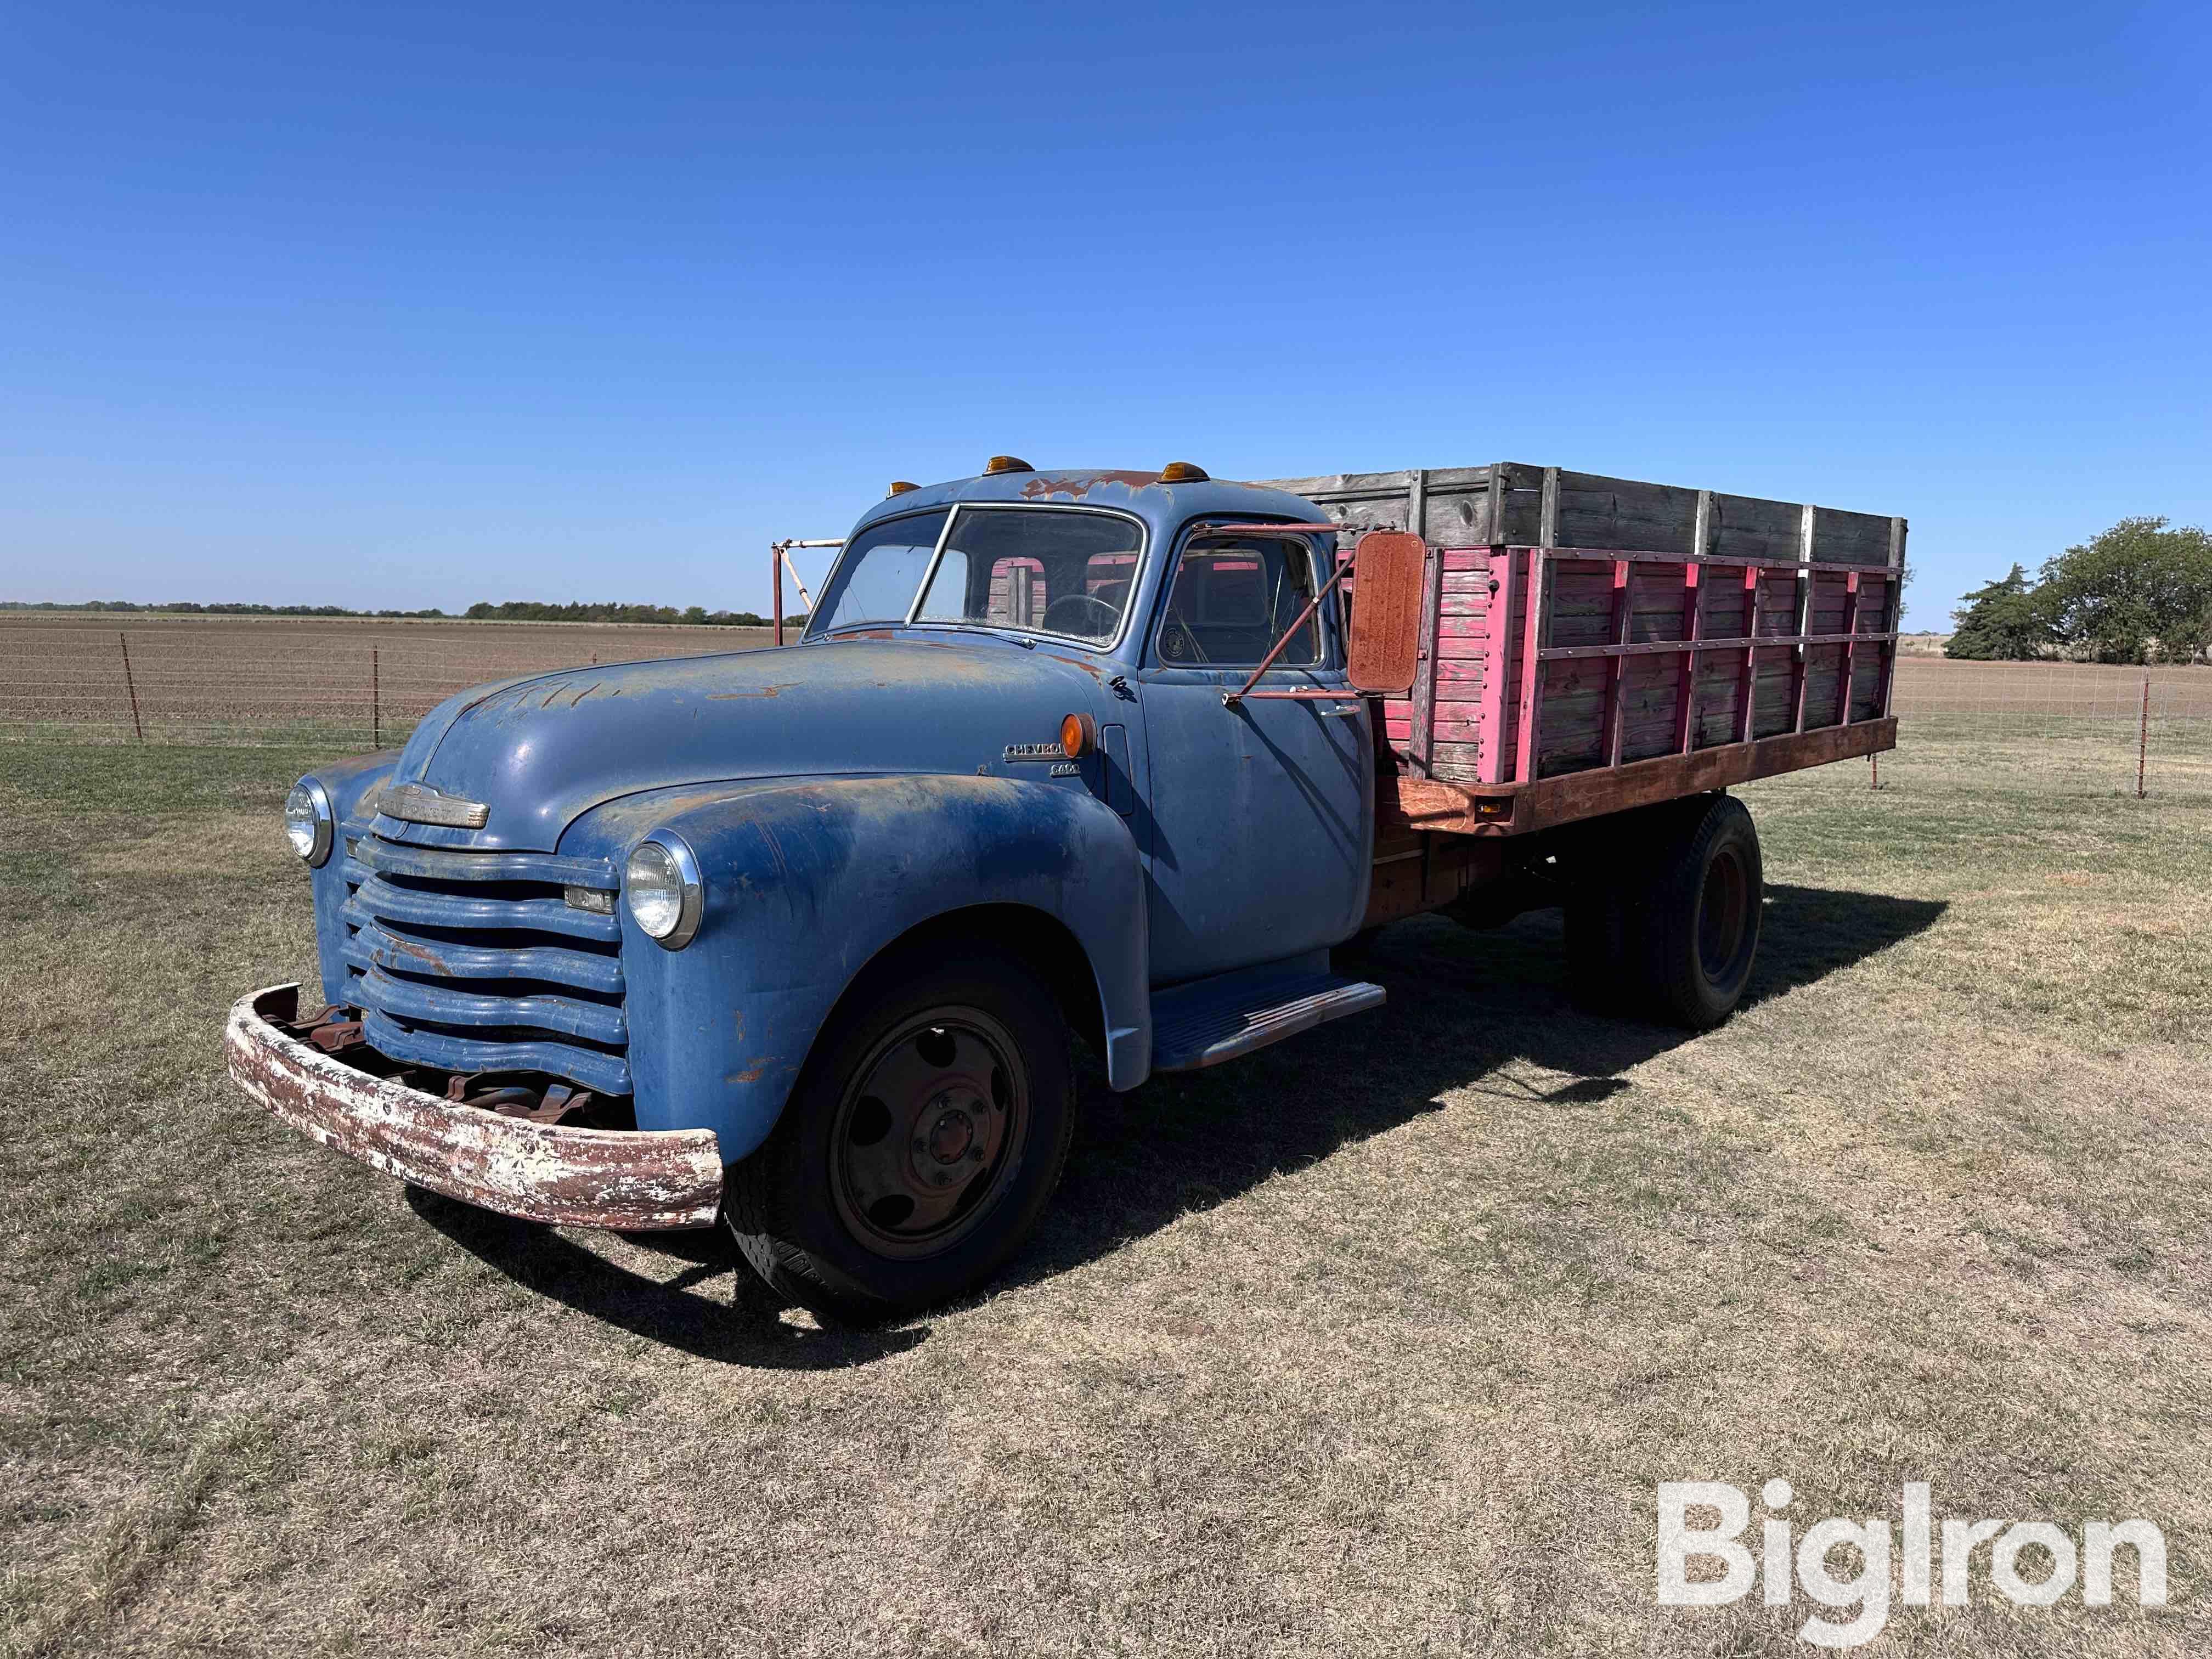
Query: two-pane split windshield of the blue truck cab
[(1036, 570)]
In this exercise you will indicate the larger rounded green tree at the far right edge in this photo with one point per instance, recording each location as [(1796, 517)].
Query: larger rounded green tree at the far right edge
[(2136, 594)]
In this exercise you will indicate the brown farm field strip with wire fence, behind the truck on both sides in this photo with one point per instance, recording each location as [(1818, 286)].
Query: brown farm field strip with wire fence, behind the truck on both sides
[(2076, 729)]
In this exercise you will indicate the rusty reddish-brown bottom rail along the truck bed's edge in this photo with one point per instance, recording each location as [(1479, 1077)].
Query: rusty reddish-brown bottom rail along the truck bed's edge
[(1516, 808)]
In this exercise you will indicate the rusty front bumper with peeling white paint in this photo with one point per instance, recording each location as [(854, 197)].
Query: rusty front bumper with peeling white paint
[(583, 1178)]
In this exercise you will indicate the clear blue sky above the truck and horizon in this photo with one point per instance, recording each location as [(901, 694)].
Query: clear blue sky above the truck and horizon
[(435, 304)]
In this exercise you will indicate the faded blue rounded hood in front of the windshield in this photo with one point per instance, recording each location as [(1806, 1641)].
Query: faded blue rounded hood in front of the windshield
[(543, 751)]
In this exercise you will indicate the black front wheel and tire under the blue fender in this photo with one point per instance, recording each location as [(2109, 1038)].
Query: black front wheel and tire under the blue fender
[(921, 1145)]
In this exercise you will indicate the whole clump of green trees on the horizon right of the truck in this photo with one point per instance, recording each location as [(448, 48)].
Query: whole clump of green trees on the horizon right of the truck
[(2138, 594)]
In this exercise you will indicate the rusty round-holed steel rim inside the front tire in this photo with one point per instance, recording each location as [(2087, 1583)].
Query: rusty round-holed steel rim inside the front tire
[(928, 1131)]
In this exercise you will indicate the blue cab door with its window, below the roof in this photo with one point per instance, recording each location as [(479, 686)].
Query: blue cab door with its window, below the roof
[(1262, 813)]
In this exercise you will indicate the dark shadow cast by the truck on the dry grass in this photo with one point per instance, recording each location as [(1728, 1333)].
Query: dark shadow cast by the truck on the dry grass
[(1463, 1010)]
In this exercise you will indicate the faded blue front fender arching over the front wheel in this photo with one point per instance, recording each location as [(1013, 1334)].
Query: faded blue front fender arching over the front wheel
[(811, 879)]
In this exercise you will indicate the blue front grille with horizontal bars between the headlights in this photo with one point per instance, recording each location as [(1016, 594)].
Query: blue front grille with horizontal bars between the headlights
[(474, 961)]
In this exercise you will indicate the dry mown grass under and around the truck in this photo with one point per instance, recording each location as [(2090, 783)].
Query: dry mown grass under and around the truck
[(1375, 1344)]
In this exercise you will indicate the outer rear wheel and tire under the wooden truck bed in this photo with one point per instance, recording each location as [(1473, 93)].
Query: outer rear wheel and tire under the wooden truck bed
[(1693, 930)]
